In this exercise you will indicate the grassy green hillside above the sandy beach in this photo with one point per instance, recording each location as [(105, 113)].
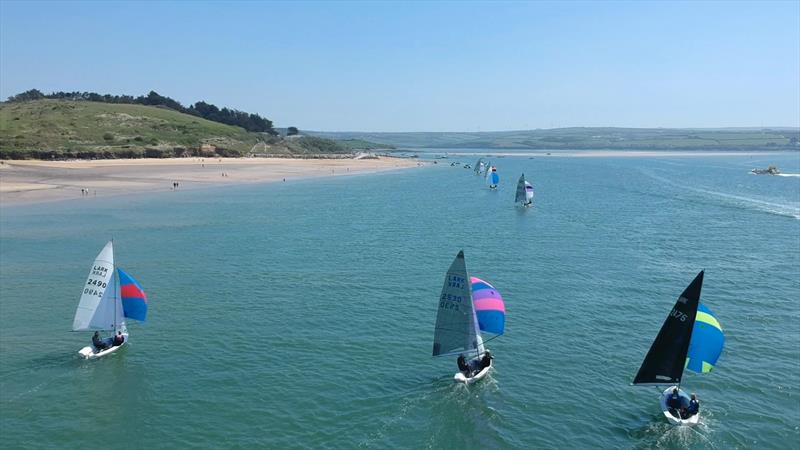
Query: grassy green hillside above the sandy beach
[(58, 129)]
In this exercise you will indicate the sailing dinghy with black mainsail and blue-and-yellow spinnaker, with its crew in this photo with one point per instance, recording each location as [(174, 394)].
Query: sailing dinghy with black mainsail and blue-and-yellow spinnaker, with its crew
[(692, 338)]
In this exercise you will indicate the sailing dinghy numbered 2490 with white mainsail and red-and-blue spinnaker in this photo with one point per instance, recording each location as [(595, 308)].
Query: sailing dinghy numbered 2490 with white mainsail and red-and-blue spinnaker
[(109, 297)]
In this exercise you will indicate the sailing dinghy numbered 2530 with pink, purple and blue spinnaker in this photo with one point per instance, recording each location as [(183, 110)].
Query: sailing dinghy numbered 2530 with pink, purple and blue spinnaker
[(467, 306)]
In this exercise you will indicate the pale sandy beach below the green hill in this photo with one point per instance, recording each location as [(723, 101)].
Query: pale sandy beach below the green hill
[(32, 181)]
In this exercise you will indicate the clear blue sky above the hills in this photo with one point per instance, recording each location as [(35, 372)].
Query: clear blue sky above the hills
[(424, 66)]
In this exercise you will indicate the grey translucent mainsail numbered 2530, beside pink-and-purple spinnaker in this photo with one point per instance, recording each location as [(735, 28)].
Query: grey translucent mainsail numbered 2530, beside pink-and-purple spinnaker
[(456, 324)]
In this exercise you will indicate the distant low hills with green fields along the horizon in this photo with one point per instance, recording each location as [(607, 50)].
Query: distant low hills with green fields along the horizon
[(591, 139)]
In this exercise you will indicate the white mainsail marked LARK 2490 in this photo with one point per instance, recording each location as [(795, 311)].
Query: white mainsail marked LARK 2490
[(100, 306)]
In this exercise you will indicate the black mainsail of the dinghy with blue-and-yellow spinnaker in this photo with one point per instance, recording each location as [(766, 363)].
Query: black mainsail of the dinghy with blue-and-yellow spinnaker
[(666, 359)]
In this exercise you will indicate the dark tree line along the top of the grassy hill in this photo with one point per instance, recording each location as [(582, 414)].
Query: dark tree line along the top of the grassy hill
[(248, 121)]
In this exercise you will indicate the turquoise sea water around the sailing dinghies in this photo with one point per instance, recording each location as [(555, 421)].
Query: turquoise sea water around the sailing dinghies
[(301, 314)]
